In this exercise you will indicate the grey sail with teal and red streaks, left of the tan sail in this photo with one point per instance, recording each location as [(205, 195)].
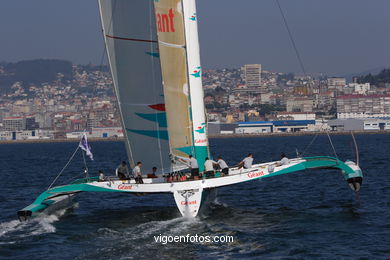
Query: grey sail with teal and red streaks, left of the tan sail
[(130, 35)]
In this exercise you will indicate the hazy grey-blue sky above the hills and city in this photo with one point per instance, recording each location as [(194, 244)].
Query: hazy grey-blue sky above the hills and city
[(333, 36)]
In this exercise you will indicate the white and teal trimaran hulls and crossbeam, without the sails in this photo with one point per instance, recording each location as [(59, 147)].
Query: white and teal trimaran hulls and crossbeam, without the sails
[(189, 195)]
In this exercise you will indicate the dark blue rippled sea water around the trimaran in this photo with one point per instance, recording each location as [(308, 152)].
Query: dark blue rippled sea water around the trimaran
[(303, 215)]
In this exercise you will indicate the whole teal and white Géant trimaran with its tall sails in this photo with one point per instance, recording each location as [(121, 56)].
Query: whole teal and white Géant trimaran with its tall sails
[(153, 51)]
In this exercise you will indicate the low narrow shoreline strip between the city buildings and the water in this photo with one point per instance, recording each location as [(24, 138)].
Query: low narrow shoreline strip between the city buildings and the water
[(213, 136)]
